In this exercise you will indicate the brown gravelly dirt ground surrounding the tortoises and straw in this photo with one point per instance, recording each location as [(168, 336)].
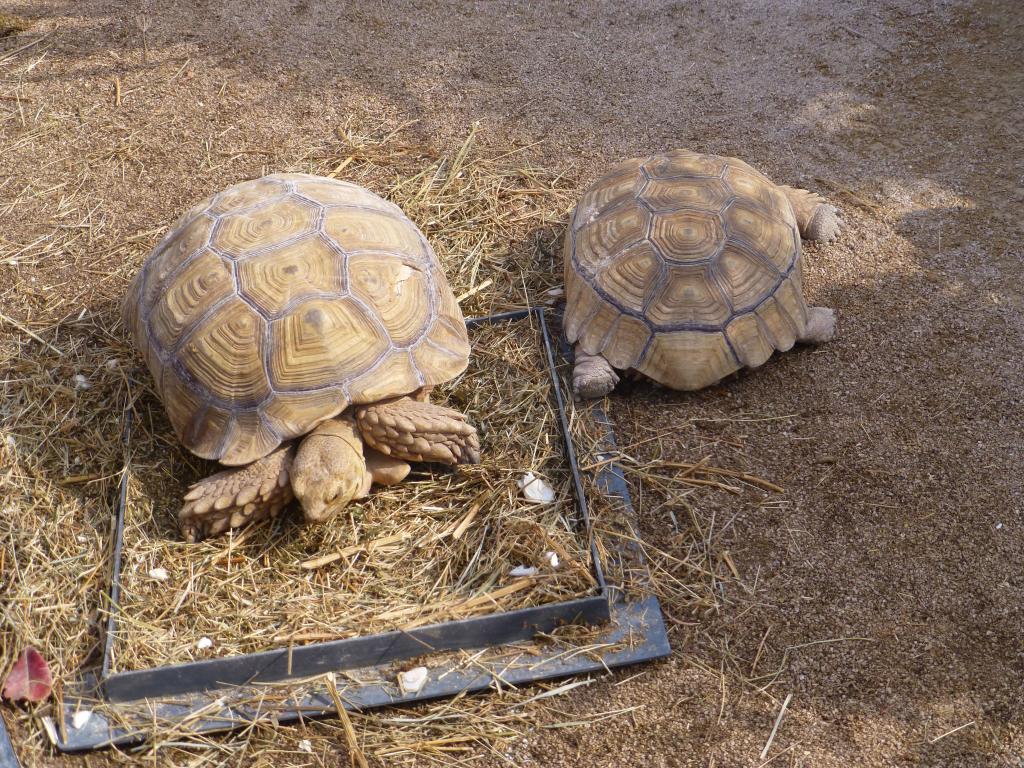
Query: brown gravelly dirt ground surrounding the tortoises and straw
[(885, 589)]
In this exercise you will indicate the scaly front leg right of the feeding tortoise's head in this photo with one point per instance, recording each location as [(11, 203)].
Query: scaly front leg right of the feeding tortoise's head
[(417, 432)]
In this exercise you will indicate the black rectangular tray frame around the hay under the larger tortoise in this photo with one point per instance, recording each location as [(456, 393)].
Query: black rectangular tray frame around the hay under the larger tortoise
[(219, 695)]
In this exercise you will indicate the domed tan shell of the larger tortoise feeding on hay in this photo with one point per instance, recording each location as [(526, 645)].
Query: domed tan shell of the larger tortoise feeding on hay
[(279, 303)]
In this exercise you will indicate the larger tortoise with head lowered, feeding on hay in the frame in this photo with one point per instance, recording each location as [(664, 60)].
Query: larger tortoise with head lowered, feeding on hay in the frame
[(296, 307)]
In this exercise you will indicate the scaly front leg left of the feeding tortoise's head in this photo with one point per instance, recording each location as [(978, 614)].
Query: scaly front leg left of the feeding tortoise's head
[(237, 497)]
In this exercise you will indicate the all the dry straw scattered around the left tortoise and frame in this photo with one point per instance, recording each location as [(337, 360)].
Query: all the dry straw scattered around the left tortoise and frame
[(437, 547)]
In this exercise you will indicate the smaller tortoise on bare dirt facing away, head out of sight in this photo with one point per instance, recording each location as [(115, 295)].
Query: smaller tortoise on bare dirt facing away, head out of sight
[(687, 268)]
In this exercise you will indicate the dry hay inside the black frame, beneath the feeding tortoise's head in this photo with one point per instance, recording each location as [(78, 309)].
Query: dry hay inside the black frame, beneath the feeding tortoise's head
[(438, 547)]
